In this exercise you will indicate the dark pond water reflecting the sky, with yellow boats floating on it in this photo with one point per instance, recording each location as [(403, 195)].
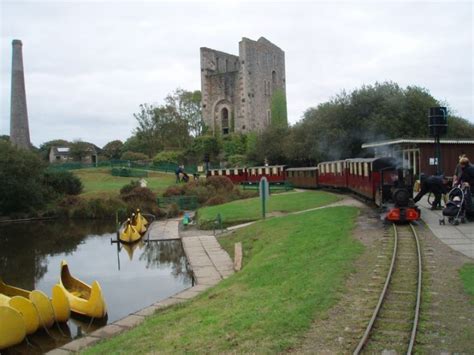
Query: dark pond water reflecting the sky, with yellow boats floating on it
[(131, 277)]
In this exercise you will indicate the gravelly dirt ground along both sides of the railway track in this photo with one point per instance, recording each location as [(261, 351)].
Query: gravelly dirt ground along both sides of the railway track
[(447, 316)]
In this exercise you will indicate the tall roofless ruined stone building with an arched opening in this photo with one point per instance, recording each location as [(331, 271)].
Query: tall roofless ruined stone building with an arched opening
[(237, 90)]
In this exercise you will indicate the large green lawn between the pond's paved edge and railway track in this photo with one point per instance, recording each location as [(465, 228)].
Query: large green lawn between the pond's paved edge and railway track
[(294, 271)]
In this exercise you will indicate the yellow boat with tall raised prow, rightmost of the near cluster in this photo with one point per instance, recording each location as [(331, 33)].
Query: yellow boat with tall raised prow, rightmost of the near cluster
[(84, 299)]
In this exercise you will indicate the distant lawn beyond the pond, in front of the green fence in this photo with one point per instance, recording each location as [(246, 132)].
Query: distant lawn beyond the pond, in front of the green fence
[(100, 183)]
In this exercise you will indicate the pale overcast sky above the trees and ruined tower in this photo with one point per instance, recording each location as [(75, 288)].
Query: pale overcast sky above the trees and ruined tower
[(90, 64)]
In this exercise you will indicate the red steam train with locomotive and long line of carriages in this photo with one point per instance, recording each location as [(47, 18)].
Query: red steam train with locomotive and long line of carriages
[(380, 180)]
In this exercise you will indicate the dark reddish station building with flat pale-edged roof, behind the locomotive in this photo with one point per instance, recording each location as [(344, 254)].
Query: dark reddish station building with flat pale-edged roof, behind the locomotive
[(420, 154)]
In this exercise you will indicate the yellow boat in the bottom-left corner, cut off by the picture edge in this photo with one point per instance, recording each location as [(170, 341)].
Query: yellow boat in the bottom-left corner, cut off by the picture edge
[(12, 323)]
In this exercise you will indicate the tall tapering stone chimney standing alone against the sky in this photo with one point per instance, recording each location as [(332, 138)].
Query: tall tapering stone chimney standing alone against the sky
[(19, 130)]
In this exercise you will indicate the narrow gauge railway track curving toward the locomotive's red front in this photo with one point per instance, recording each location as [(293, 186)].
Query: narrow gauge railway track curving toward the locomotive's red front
[(394, 322)]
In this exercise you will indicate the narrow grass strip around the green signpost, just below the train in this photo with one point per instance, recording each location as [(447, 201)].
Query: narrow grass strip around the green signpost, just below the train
[(242, 211)]
